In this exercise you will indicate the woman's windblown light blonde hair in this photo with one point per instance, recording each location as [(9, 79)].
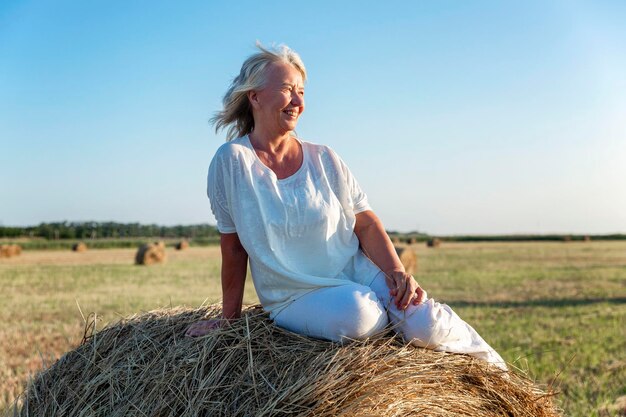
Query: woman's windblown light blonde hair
[(236, 114)]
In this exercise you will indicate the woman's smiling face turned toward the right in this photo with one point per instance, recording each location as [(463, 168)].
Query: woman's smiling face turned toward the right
[(280, 103)]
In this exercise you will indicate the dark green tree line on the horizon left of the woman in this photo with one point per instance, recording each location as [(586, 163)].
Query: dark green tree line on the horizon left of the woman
[(97, 230)]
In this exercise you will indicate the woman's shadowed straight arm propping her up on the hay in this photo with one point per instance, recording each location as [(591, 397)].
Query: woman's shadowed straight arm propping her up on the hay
[(234, 270)]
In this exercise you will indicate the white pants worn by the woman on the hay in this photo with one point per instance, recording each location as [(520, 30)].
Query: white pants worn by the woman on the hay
[(355, 311)]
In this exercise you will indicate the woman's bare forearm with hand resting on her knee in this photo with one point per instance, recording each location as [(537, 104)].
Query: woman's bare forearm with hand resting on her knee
[(376, 245)]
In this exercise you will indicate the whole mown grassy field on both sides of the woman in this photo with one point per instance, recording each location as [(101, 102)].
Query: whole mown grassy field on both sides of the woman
[(555, 310)]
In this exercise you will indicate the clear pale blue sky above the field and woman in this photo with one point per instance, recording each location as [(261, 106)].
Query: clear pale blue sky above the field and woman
[(456, 117)]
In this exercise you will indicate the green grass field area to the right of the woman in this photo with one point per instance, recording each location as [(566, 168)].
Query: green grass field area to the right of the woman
[(556, 310)]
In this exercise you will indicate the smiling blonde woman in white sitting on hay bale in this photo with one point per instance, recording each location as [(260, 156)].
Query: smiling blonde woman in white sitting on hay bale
[(321, 261)]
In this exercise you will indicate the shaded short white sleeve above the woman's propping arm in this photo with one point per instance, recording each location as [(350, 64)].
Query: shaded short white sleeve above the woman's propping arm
[(217, 192)]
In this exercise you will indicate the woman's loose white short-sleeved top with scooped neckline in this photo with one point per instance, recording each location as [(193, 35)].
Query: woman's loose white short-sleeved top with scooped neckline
[(298, 231)]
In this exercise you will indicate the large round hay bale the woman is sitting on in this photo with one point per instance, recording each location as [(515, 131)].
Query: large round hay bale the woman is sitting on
[(145, 366)]
